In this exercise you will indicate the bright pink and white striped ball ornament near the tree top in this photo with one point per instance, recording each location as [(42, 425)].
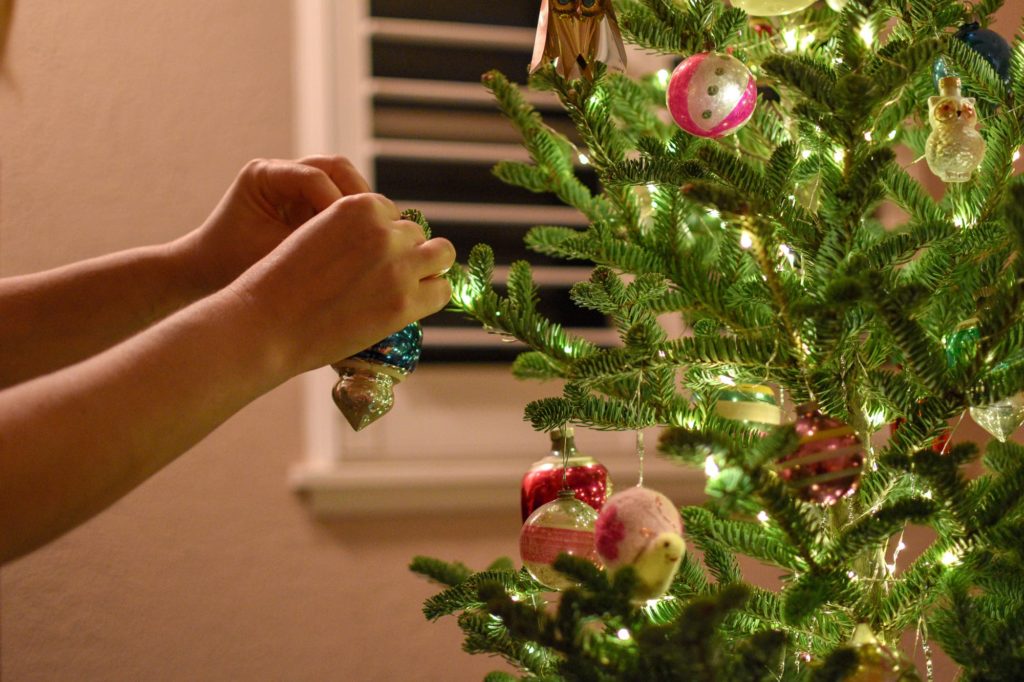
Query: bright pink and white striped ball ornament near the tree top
[(712, 95)]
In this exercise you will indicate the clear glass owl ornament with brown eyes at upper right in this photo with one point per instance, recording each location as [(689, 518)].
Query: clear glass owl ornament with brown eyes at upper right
[(955, 148)]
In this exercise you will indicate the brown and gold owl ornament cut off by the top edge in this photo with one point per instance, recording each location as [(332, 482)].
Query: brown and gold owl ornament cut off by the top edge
[(575, 34)]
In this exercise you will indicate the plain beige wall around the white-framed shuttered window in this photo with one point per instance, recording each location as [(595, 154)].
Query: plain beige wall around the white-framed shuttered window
[(120, 124)]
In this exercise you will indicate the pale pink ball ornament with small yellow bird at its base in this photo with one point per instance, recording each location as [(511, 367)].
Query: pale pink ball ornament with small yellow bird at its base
[(643, 529)]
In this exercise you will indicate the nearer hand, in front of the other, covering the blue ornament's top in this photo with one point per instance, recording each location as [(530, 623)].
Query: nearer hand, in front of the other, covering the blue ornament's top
[(344, 281)]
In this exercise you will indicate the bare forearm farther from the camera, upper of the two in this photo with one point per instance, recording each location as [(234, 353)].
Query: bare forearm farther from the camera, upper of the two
[(60, 317)]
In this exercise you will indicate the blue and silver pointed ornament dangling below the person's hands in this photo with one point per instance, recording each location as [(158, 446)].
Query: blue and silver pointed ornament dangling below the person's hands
[(365, 392)]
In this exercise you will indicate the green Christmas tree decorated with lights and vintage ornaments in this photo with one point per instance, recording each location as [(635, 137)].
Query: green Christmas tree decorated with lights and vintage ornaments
[(749, 208)]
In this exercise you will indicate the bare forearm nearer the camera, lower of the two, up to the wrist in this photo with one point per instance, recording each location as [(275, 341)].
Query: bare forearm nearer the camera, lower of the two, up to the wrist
[(74, 442)]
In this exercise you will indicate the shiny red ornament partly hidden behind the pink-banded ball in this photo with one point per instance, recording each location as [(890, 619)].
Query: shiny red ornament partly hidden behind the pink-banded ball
[(564, 468)]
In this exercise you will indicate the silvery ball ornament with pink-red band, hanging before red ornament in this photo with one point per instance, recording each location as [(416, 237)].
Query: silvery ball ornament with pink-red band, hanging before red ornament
[(563, 526)]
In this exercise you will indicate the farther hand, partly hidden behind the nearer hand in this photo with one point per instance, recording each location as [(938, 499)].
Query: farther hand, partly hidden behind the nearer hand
[(268, 200)]
